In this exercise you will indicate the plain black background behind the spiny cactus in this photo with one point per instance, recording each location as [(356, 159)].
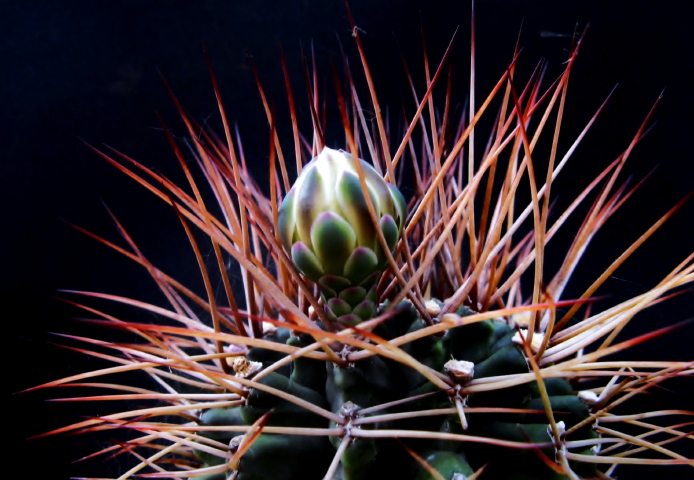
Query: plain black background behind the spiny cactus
[(88, 69)]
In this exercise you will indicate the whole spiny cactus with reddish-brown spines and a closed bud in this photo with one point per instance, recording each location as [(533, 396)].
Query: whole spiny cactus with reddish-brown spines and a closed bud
[(377, 334)]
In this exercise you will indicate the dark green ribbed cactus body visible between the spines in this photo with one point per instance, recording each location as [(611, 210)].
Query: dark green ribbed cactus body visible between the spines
[(377, 380)]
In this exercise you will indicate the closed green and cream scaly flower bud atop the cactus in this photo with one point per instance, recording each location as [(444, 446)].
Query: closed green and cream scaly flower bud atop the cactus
[(325, 226)]
